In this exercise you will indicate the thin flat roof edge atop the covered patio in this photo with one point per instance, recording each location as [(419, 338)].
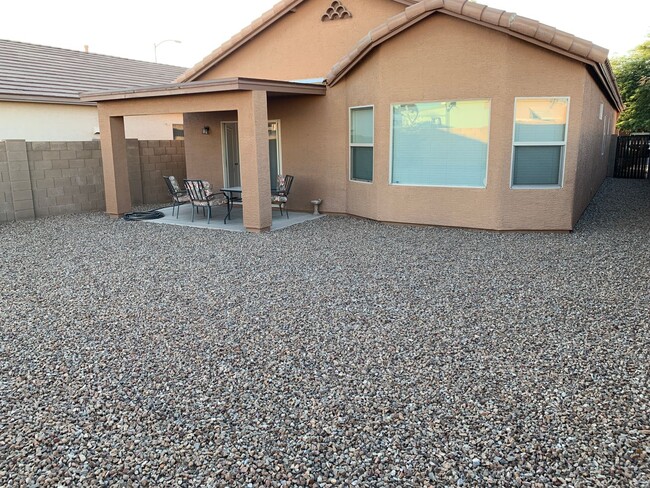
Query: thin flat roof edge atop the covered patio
[(274, 88)]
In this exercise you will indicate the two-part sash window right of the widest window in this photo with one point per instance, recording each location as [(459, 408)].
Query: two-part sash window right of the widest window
[(539, 142)]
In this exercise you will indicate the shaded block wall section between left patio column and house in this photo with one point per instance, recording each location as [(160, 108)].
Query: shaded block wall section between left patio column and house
[(158, 159)]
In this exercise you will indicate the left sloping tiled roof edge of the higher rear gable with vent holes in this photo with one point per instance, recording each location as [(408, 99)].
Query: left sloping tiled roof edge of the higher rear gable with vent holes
[(258, 26)]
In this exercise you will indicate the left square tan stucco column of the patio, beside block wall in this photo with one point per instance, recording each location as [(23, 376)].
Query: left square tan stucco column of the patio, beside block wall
[(116, 171)]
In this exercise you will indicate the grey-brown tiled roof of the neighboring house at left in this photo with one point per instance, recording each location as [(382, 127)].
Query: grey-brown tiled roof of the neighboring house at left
[(34, 73)]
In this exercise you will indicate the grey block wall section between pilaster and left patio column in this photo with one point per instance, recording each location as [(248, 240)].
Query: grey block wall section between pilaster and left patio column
[(66, 177)]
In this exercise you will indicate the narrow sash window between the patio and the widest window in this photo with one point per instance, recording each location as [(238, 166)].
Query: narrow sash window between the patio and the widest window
[(361, 143)]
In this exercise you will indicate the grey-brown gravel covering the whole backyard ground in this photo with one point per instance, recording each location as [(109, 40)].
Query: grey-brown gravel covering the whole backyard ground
[(334, 353)]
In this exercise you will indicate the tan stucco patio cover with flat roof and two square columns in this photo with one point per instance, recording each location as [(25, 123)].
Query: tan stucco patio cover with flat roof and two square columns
[(204, 104)]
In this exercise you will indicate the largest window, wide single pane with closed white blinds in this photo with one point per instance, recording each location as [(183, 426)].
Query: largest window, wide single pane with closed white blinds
[(440, 143)]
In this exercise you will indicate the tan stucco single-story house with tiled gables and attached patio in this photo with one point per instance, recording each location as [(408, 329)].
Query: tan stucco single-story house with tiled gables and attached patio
[(438, 112)]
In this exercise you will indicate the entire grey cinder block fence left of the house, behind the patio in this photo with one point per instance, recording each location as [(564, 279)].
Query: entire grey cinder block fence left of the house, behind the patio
[(39, 179)]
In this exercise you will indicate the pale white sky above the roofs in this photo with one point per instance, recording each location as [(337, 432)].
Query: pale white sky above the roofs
[(130, 29)]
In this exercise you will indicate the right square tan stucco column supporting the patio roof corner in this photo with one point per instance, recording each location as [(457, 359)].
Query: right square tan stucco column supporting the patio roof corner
[(254, 162)]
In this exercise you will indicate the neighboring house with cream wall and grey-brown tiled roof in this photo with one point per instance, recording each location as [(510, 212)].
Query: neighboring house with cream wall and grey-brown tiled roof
[(40, 88)]
